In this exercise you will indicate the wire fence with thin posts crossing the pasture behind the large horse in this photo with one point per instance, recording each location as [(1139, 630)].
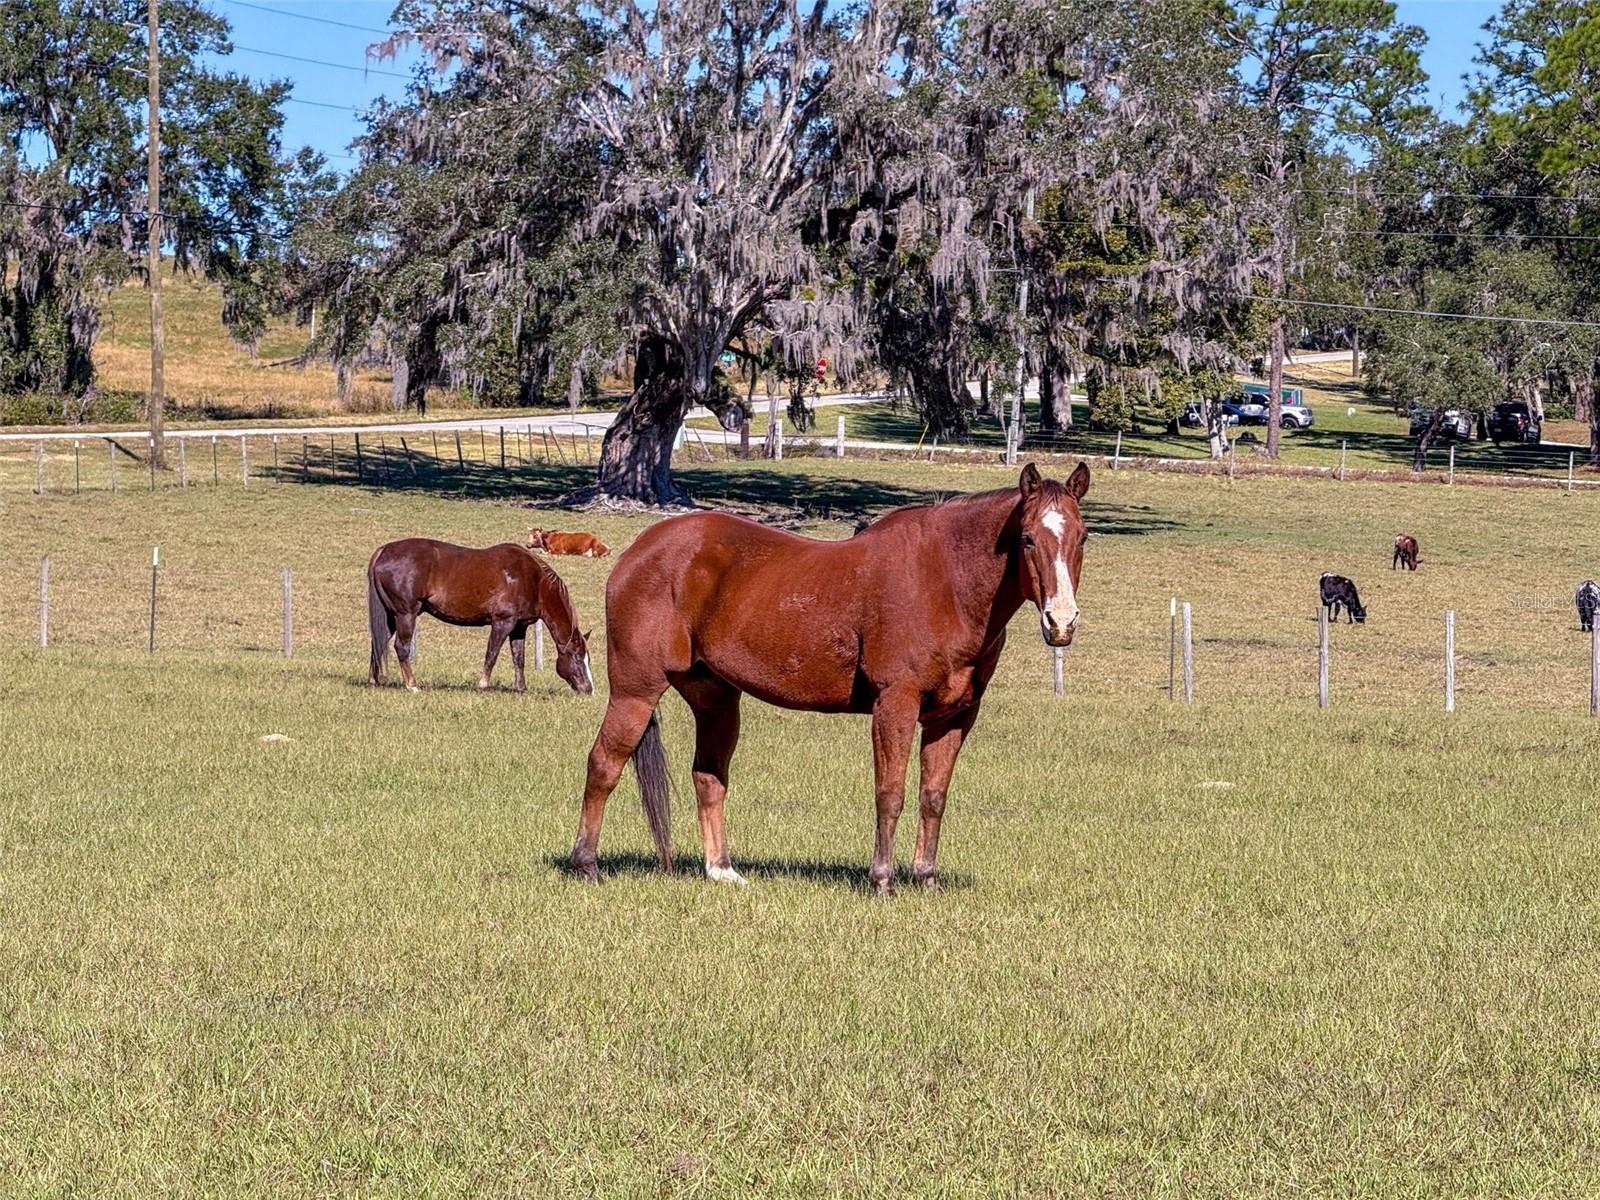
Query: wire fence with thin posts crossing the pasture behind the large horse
[(212, 598)]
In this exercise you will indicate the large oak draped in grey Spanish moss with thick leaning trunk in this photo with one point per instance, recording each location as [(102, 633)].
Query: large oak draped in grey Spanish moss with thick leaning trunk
[(655, 175)]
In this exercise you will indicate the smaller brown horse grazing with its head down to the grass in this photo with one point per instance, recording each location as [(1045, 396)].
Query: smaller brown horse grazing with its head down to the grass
[(505, 588)]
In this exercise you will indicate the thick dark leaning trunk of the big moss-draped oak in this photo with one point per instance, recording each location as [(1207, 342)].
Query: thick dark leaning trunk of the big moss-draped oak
[(636, 458)]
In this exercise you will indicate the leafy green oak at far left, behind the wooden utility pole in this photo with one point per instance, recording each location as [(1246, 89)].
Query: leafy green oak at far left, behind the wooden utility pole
[(73, 180)]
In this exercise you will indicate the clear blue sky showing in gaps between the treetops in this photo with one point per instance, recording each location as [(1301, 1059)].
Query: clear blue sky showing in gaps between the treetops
[(1454, 31)]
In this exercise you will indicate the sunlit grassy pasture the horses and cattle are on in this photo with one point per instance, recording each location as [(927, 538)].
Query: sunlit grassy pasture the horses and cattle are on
[(1238, 950)]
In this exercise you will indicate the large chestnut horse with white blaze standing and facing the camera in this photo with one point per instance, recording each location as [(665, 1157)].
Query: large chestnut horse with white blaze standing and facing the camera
[(903, 622)]
